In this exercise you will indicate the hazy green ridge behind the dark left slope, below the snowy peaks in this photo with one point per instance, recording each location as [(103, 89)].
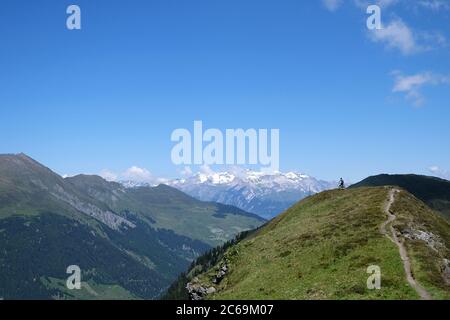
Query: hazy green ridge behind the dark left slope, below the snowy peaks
[(165, 207)]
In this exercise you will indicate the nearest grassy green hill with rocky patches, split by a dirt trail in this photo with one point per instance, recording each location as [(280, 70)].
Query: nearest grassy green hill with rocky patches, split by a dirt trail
[(321, 249)]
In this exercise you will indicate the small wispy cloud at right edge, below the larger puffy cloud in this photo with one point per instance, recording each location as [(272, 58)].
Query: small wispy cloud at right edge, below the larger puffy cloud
[(411, 85)]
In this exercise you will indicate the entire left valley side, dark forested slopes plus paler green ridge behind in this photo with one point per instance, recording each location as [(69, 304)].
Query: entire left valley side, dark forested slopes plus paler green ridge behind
[(129, 243)]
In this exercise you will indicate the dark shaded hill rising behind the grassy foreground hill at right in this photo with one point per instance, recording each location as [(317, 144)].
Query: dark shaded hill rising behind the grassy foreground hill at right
[(435, 192)]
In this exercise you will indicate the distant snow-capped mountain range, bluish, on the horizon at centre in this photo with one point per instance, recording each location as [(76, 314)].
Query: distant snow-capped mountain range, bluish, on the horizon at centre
[(265, 194)]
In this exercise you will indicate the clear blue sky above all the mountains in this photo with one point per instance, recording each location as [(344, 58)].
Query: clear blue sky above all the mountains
[(348, 101)]
